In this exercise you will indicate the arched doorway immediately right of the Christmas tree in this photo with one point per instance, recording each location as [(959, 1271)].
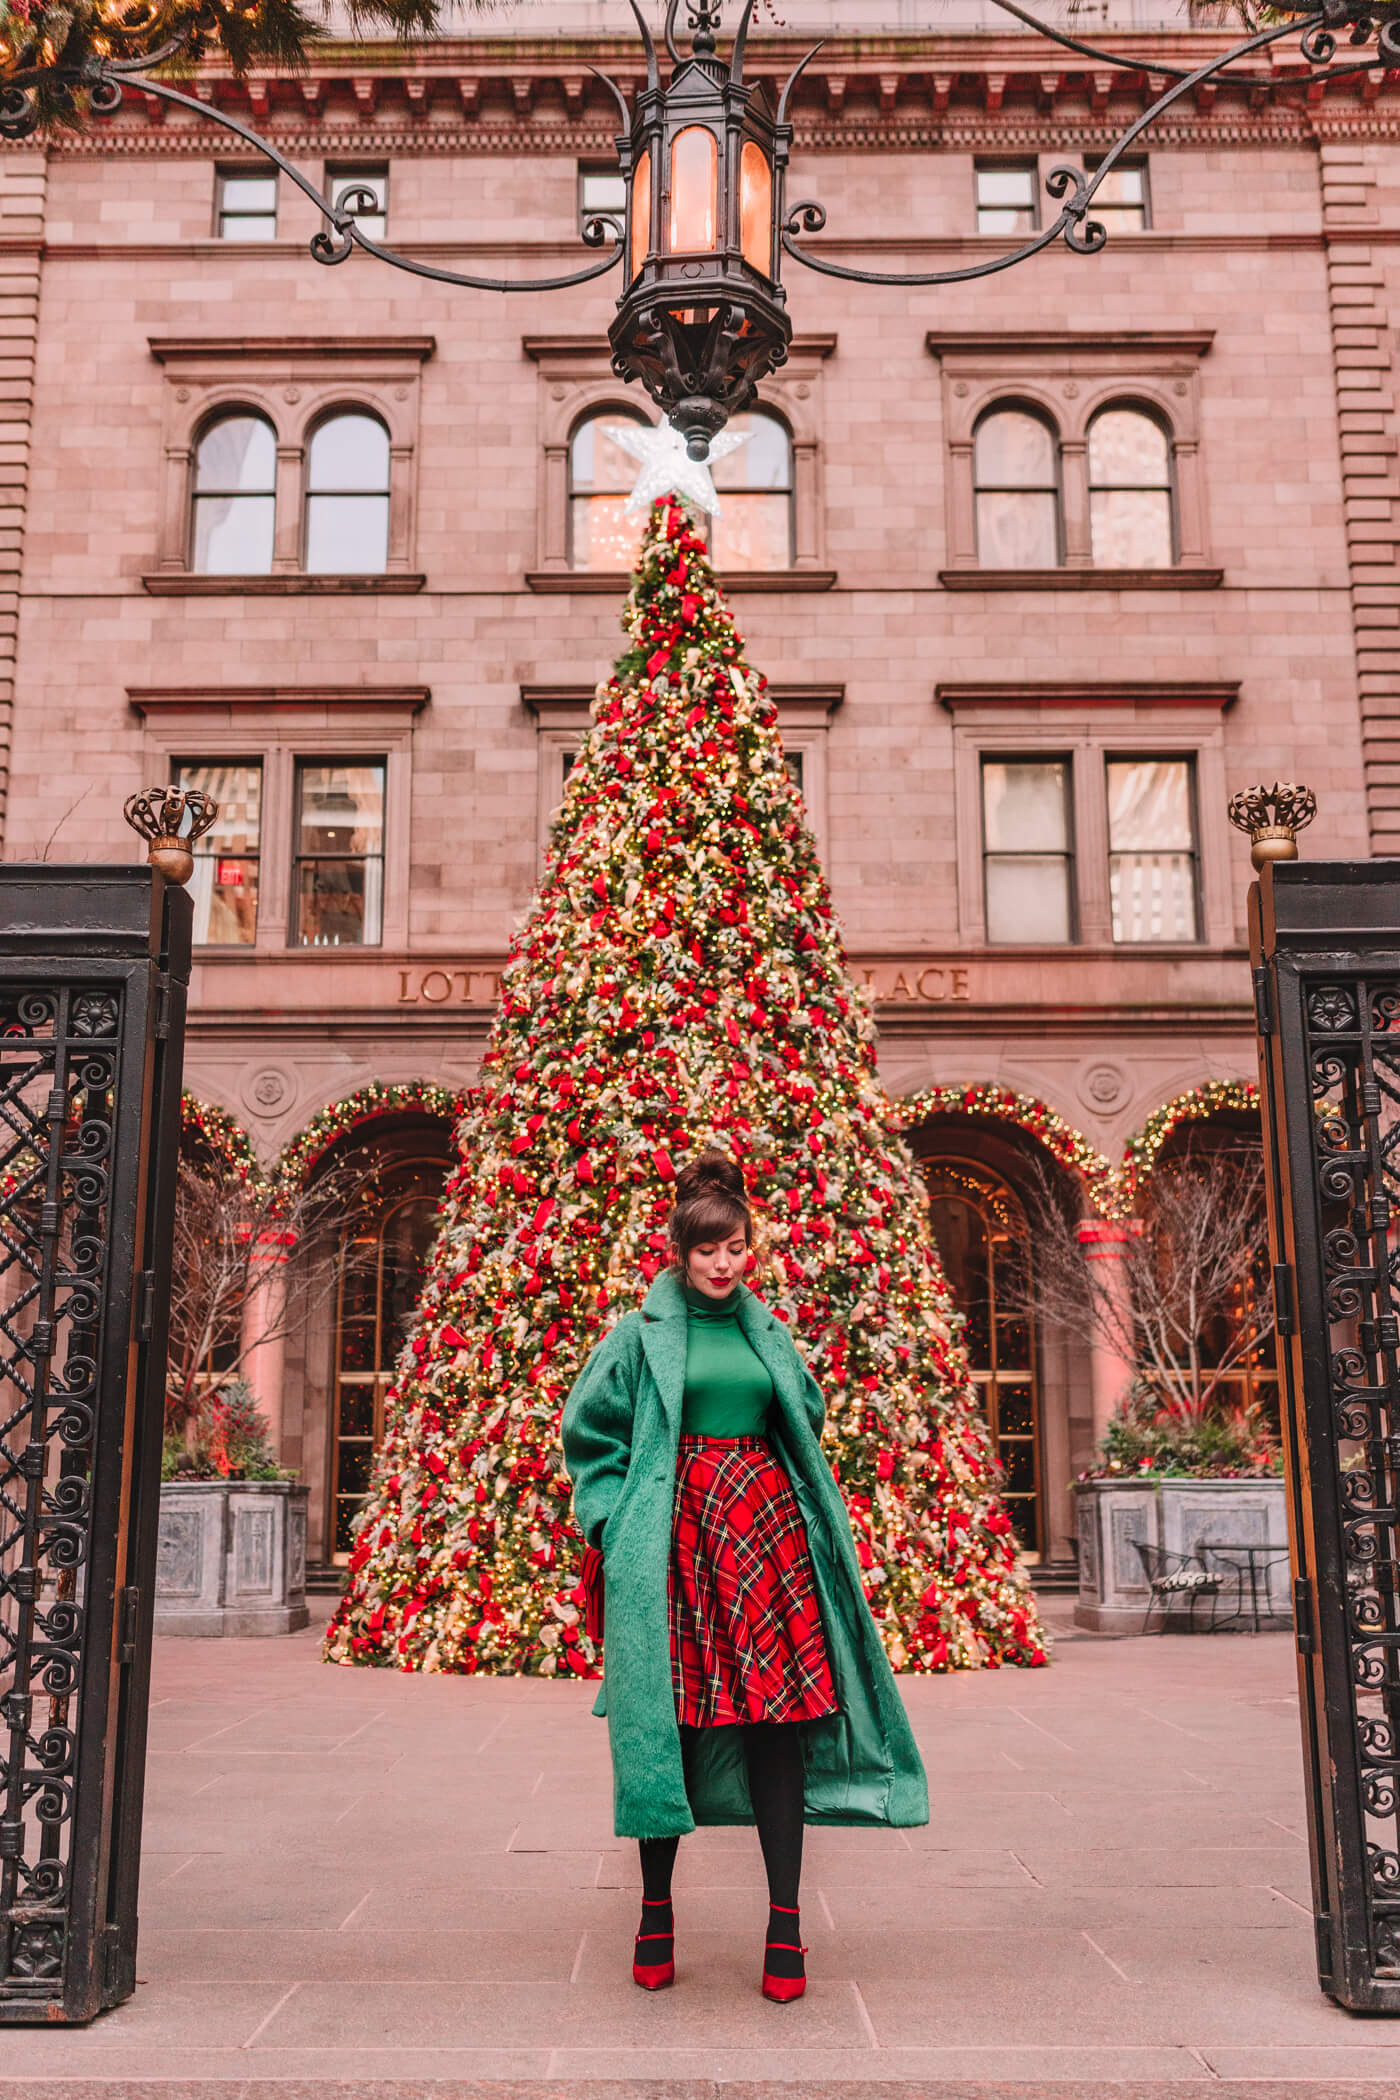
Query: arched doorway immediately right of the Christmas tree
[(981, 1234)]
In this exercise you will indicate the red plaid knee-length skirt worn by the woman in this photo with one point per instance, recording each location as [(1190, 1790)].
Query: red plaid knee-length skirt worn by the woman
[(744, 1616)]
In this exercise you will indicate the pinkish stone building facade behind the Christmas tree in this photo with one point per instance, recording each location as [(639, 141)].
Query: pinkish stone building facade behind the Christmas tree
[(1042, 566)]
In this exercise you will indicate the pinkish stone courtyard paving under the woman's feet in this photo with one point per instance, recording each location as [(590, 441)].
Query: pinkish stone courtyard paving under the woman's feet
[(391, 1887)]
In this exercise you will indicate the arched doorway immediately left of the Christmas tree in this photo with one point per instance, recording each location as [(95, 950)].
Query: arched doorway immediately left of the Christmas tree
[(385, 1251)]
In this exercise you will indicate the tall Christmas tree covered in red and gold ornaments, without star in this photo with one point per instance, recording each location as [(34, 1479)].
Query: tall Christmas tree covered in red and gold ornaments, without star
[(679, 982)]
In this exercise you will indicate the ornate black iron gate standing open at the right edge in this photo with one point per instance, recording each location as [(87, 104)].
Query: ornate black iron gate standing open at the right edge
[(1325, 948)]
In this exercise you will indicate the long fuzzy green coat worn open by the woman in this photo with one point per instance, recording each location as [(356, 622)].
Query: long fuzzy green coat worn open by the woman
[(622, 1429)]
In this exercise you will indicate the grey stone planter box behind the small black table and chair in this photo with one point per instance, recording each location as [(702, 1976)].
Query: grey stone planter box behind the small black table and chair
[(1174, 1513)]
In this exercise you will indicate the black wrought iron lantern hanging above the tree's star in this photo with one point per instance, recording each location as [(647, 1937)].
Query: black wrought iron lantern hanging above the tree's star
[(704, 316)]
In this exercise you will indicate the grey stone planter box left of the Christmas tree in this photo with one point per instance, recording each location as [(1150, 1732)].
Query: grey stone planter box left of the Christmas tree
[(232, 1557)]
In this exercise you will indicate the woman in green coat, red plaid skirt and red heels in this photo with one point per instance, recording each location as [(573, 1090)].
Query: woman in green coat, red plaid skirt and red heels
[(746, 1681)]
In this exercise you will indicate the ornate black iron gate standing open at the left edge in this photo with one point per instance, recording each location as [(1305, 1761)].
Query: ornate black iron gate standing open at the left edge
[(93, 973)]
